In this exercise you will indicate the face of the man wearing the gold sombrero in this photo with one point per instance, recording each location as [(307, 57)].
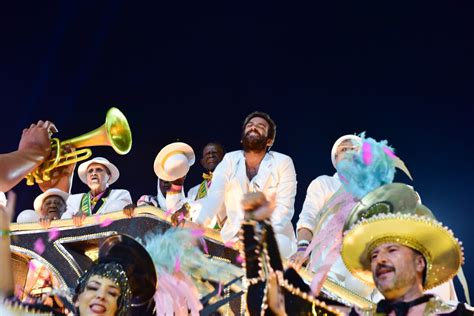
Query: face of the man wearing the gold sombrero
[(396, 269)]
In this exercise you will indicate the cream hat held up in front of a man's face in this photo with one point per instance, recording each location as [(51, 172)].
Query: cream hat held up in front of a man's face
[(173, 161)]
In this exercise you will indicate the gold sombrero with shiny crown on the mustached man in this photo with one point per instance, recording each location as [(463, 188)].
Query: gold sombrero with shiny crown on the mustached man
[(413, 227)]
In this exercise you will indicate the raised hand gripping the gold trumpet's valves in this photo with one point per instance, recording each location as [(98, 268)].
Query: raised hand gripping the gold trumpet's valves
[(37, 137)]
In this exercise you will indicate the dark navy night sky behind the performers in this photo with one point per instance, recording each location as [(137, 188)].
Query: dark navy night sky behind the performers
[(193, 71)]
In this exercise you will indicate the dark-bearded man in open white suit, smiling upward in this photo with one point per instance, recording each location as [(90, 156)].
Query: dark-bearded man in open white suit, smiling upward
[(255, 168)]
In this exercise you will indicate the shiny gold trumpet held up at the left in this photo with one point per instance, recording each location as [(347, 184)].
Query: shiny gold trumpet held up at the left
[(115, 133)]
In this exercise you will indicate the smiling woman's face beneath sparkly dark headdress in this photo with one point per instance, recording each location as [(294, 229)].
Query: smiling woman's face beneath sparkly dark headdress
[(100, 297)]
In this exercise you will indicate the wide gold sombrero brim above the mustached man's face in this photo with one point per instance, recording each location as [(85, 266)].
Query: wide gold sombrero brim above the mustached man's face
[(440, 248)]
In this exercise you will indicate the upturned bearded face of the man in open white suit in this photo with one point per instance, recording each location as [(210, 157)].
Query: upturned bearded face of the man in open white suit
[(255, 135)]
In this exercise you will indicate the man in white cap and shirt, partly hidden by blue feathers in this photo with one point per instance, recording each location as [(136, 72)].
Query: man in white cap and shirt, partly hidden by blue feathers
[(319, 192)]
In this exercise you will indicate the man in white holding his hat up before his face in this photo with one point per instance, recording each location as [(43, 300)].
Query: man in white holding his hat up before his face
[(171, 167)]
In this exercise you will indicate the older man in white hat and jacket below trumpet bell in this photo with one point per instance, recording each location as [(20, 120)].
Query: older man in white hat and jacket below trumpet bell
[(98, 173)]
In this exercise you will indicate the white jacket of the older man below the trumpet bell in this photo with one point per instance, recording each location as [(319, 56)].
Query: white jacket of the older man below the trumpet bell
[(116, 201)]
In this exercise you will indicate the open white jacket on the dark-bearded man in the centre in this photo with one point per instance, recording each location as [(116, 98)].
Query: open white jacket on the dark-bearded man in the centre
[(276, 174)]
